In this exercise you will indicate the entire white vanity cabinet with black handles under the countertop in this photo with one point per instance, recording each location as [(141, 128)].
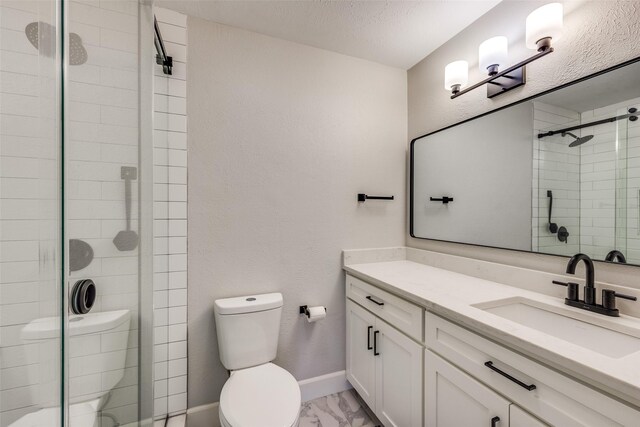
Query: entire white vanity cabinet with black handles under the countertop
[(415, 368)]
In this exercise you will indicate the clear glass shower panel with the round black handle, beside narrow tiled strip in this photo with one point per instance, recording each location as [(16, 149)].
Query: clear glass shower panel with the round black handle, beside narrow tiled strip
[(103, 206)]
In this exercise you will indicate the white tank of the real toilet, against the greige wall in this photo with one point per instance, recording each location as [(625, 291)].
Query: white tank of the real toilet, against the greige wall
[(248, 329)]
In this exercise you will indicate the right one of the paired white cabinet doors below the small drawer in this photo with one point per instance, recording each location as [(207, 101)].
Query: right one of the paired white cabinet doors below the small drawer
[(398, 377)]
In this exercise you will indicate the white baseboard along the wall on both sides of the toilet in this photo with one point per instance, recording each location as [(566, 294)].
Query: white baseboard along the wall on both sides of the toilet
[(311, 388)]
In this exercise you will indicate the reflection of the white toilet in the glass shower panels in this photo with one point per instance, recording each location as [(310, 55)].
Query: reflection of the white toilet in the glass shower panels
[(88, 357)]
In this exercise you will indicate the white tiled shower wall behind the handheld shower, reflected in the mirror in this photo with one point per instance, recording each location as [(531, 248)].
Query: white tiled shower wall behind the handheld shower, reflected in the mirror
[(556, 168)]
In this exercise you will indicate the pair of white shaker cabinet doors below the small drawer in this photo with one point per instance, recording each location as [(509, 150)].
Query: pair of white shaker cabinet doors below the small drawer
[(384, 366)]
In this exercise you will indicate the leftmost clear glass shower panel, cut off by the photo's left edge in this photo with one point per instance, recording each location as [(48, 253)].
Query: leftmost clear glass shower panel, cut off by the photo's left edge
[(30, 147)]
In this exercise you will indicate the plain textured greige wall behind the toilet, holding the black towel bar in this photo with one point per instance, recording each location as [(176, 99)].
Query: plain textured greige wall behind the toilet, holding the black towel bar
[(281, 138)]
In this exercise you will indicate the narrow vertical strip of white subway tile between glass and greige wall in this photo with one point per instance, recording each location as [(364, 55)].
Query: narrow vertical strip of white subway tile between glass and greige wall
[(170, 221)]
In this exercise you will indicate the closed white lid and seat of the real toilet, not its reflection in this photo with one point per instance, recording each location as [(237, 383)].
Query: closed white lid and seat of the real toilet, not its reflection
[(264, 395)]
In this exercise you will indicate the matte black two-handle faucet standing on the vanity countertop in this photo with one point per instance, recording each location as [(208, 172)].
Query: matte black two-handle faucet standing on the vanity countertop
[(608, 306)]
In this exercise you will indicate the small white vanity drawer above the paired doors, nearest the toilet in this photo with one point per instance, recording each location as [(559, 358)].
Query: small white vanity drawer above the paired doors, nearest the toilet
[(402, 314)]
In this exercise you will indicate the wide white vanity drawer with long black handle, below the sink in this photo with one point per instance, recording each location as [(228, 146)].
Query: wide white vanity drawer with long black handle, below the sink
[(554, 398)]
